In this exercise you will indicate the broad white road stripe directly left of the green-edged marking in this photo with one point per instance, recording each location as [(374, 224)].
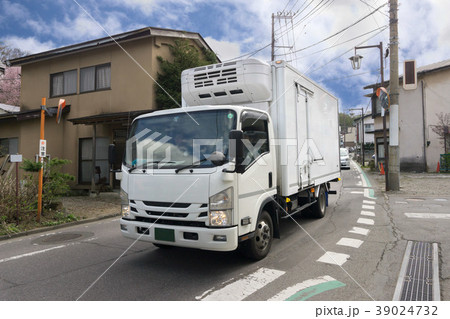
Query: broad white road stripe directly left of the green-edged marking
[(244, 287)]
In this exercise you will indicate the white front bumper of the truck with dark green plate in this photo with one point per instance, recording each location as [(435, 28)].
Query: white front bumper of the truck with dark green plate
[(217, 239)]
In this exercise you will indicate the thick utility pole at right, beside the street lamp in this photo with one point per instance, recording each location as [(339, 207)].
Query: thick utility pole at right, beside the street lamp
[(394, 158)]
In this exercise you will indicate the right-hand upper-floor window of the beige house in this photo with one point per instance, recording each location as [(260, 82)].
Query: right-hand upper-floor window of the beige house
[(95, 78)]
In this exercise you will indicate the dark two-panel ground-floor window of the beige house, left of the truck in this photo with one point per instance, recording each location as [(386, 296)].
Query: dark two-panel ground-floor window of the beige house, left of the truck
[(101, 161)]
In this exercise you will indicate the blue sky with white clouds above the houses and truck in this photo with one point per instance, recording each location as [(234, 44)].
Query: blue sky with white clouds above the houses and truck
[(316, 36)]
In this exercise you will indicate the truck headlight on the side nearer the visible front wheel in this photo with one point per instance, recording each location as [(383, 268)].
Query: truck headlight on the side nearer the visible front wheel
[(221, 208)]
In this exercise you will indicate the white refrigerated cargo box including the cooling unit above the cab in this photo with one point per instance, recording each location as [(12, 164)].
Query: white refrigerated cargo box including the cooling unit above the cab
[(304, 115)]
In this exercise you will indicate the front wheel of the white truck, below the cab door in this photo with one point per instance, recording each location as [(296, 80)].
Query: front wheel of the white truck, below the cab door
[(259, 245)]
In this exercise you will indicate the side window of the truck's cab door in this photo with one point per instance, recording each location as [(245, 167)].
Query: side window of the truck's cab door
[(256, 137)]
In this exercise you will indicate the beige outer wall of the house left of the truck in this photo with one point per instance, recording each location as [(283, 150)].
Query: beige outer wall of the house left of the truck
[(132, 88)]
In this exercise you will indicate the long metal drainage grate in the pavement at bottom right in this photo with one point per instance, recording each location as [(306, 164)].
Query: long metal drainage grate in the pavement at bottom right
[(419, 278)]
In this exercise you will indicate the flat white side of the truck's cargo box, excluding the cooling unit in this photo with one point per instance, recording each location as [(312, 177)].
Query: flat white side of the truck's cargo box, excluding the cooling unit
[(306, 124)]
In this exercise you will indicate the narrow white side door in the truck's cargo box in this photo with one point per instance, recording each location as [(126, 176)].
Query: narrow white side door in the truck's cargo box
[(303, 159)]
